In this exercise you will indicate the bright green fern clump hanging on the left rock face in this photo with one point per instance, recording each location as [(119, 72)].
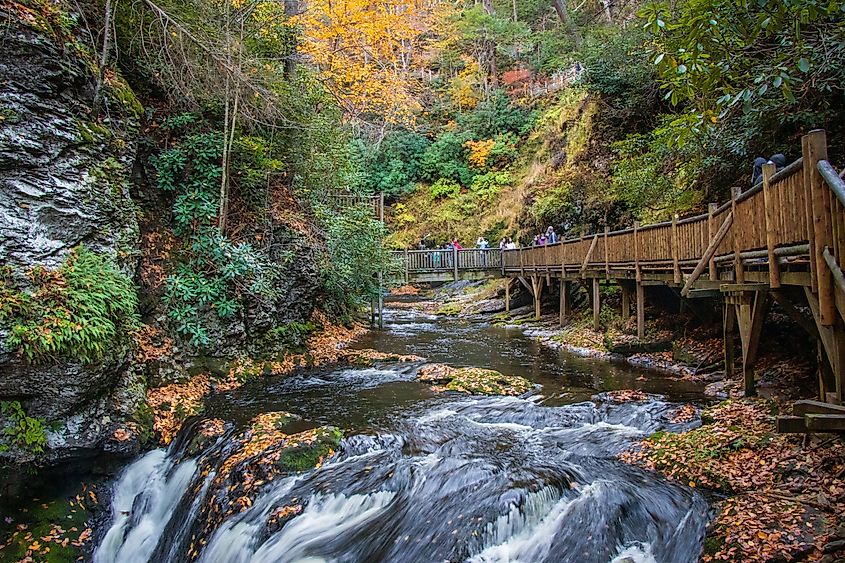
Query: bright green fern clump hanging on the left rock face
[(80, 311)]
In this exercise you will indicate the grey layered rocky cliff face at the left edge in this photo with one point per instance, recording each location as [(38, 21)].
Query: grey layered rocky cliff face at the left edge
[(63, 183)]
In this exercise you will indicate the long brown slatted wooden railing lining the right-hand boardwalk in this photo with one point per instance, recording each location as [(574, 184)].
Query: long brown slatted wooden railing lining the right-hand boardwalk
[(769, 221)]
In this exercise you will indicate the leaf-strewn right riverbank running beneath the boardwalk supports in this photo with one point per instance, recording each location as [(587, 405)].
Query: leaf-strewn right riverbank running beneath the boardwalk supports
[(774, 497)]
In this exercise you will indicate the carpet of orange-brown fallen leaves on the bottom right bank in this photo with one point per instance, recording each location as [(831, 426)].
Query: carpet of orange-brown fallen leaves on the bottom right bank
[(786, 496)]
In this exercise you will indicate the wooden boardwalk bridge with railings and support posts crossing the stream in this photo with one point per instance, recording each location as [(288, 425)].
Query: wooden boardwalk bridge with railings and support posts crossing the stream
[(782, 240)]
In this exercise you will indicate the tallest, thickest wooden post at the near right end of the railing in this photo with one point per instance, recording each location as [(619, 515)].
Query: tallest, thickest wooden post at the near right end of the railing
[(817, 148)]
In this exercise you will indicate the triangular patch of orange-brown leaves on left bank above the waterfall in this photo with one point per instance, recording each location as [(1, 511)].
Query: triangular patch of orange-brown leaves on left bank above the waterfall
[(171, 404)]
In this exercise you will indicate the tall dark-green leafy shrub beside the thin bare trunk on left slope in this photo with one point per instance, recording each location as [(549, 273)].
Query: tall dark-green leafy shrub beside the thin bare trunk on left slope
[(212, 269)]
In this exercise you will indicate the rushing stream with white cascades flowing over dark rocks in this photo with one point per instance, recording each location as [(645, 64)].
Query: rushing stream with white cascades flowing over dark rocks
[(427, 476)]
